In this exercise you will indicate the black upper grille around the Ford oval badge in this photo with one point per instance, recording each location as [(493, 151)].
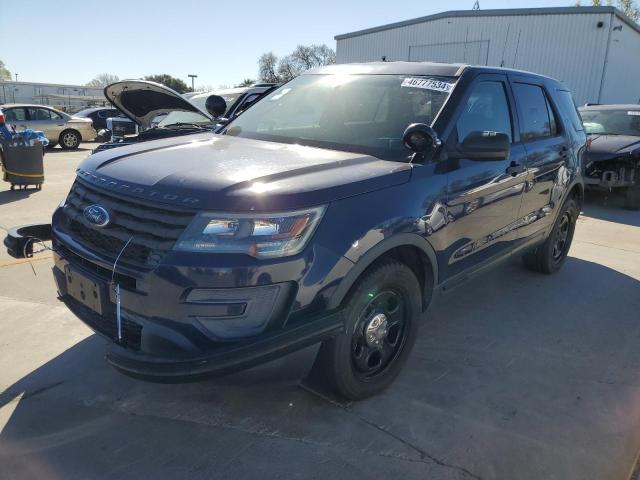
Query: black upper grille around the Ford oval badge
[(153, 230)]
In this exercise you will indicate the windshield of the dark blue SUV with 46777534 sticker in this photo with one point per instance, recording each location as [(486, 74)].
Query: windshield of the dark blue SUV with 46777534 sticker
[(360, 113)]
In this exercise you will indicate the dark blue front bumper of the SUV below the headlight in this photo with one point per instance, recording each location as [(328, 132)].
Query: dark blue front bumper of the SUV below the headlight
[(184, 321)]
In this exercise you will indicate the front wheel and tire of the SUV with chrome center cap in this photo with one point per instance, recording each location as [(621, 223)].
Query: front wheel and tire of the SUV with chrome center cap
[(364, 361)]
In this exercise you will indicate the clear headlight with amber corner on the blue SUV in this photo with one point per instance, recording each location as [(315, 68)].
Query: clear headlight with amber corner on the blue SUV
[(259, 235)]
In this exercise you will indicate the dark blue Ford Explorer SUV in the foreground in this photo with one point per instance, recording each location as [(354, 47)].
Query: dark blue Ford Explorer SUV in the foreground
[(332, 211)]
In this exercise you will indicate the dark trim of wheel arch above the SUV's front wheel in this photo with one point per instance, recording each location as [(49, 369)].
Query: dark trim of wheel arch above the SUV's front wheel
[(409, 248)]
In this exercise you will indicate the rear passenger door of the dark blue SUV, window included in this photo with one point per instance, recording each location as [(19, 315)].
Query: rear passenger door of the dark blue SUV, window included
[(548, 152)]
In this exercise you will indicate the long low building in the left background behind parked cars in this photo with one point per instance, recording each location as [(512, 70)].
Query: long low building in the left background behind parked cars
[(65, 95)]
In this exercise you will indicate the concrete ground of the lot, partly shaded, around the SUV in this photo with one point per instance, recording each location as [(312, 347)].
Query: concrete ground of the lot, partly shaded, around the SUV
[(516, 376)]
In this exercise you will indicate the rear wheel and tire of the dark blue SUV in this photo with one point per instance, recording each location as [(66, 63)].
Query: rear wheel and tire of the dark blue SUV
[(550, 256)]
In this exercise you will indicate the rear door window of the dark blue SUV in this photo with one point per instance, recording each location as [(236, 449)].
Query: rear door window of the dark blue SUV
[(534, 110)]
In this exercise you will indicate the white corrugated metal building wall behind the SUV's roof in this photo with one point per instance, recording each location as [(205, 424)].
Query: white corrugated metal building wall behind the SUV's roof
[(567, 46)]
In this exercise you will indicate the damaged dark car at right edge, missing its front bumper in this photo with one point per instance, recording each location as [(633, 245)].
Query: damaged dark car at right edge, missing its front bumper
[(612, 160)]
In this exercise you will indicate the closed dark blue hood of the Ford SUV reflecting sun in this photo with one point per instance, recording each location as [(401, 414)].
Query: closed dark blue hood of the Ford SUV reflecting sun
[(217, 172)]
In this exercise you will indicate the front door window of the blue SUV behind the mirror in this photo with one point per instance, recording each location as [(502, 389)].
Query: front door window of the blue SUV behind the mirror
[(487, 109)]
